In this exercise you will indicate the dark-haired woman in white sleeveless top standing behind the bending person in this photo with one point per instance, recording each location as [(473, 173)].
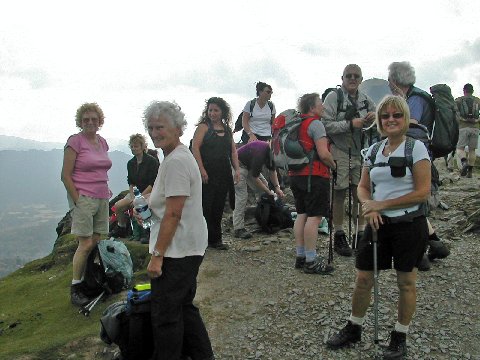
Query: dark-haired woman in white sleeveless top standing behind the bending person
[(257, 121)]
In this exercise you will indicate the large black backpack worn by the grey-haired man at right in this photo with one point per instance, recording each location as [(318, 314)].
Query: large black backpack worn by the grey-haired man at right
[(443, 128)]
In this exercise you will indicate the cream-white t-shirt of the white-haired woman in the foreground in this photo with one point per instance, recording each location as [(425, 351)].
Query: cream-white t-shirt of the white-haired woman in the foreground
[(178, 175)]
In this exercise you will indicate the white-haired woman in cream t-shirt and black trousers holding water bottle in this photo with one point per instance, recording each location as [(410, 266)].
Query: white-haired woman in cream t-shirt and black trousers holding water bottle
[(177, 240)]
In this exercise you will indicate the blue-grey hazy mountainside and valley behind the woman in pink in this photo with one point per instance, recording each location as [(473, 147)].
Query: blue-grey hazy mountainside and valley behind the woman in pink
[(34, 200)]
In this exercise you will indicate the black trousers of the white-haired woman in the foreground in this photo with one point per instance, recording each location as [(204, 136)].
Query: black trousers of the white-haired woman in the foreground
[(178, 328)]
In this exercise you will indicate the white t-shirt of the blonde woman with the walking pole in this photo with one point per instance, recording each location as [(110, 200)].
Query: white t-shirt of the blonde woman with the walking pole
[(388, 187)]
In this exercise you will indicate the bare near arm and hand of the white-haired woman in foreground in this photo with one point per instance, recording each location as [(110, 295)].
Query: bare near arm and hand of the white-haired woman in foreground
[(168, 226)]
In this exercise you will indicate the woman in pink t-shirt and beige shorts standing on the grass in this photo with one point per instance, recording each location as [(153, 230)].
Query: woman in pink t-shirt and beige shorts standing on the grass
[(84, 174)]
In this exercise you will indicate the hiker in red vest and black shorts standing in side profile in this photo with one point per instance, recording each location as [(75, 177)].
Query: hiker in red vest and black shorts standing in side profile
[(311, 204)]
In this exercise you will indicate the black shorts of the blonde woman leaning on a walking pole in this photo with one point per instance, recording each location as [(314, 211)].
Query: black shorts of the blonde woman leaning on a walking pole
[(404, 242)]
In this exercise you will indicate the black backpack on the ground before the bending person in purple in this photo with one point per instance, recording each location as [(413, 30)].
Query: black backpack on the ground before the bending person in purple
[(272, 215)]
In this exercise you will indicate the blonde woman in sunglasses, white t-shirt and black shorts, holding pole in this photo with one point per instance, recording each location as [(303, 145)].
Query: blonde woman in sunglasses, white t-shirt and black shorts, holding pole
[(391, 191)]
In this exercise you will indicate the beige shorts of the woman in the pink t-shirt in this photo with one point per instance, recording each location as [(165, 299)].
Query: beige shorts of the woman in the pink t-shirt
[(90, 216)]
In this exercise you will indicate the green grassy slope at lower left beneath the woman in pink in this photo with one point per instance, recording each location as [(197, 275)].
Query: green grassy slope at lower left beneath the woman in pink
[(36, 317)]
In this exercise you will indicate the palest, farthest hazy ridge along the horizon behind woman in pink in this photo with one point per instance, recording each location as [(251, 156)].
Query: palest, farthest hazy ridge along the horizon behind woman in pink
[(20, 144)]
